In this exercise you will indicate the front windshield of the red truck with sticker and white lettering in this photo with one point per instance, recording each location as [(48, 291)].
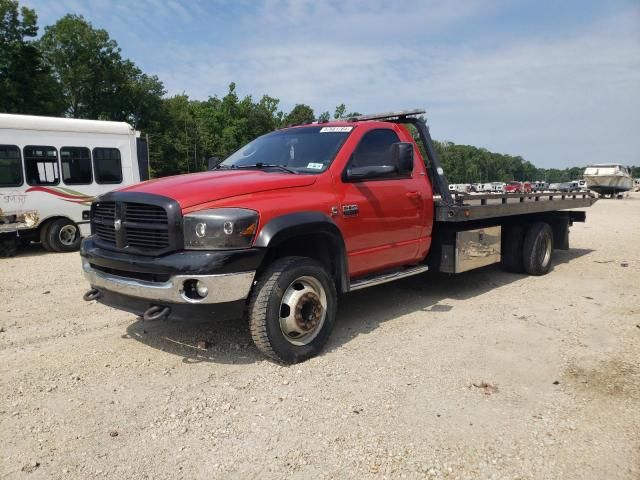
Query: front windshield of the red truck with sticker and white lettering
[(303, 150)]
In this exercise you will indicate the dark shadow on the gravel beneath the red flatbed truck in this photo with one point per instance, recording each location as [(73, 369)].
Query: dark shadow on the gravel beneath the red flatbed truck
[(227, 340)]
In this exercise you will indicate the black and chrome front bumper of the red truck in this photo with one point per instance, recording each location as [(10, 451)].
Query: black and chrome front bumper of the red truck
[(227, 275)]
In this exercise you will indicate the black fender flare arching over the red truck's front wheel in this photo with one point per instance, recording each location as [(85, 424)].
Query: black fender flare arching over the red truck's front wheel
[(312, 234)]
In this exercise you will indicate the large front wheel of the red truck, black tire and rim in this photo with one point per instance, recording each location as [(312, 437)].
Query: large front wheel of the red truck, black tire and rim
[(293, 287)]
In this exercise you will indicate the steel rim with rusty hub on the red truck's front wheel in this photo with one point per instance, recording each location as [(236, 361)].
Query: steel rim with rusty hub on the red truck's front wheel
[(303, 310)]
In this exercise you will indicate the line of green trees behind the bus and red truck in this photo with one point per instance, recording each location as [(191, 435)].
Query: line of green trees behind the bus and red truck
[(76, 70)]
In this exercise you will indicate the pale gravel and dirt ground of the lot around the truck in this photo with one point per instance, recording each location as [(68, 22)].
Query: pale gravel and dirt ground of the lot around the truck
[(483, 375)]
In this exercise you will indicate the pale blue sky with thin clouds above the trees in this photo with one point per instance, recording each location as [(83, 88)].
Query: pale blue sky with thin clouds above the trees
[(557, 82)]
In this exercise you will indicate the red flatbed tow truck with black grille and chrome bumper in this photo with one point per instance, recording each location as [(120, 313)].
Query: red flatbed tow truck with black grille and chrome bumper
[(302, 215)]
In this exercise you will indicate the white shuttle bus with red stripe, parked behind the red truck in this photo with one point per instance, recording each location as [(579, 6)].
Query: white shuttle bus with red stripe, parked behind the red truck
[(52, 168)]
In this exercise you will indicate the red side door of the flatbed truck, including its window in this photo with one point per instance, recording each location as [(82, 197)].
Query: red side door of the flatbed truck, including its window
[(383, 219)]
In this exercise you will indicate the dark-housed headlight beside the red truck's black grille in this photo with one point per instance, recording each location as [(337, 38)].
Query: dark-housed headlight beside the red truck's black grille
[(220, 229)]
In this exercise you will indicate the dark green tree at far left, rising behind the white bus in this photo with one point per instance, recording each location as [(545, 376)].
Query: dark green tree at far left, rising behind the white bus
[(26, 83)]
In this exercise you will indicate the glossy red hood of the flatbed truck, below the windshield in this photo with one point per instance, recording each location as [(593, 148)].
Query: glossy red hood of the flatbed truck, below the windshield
[(197, 188)]
